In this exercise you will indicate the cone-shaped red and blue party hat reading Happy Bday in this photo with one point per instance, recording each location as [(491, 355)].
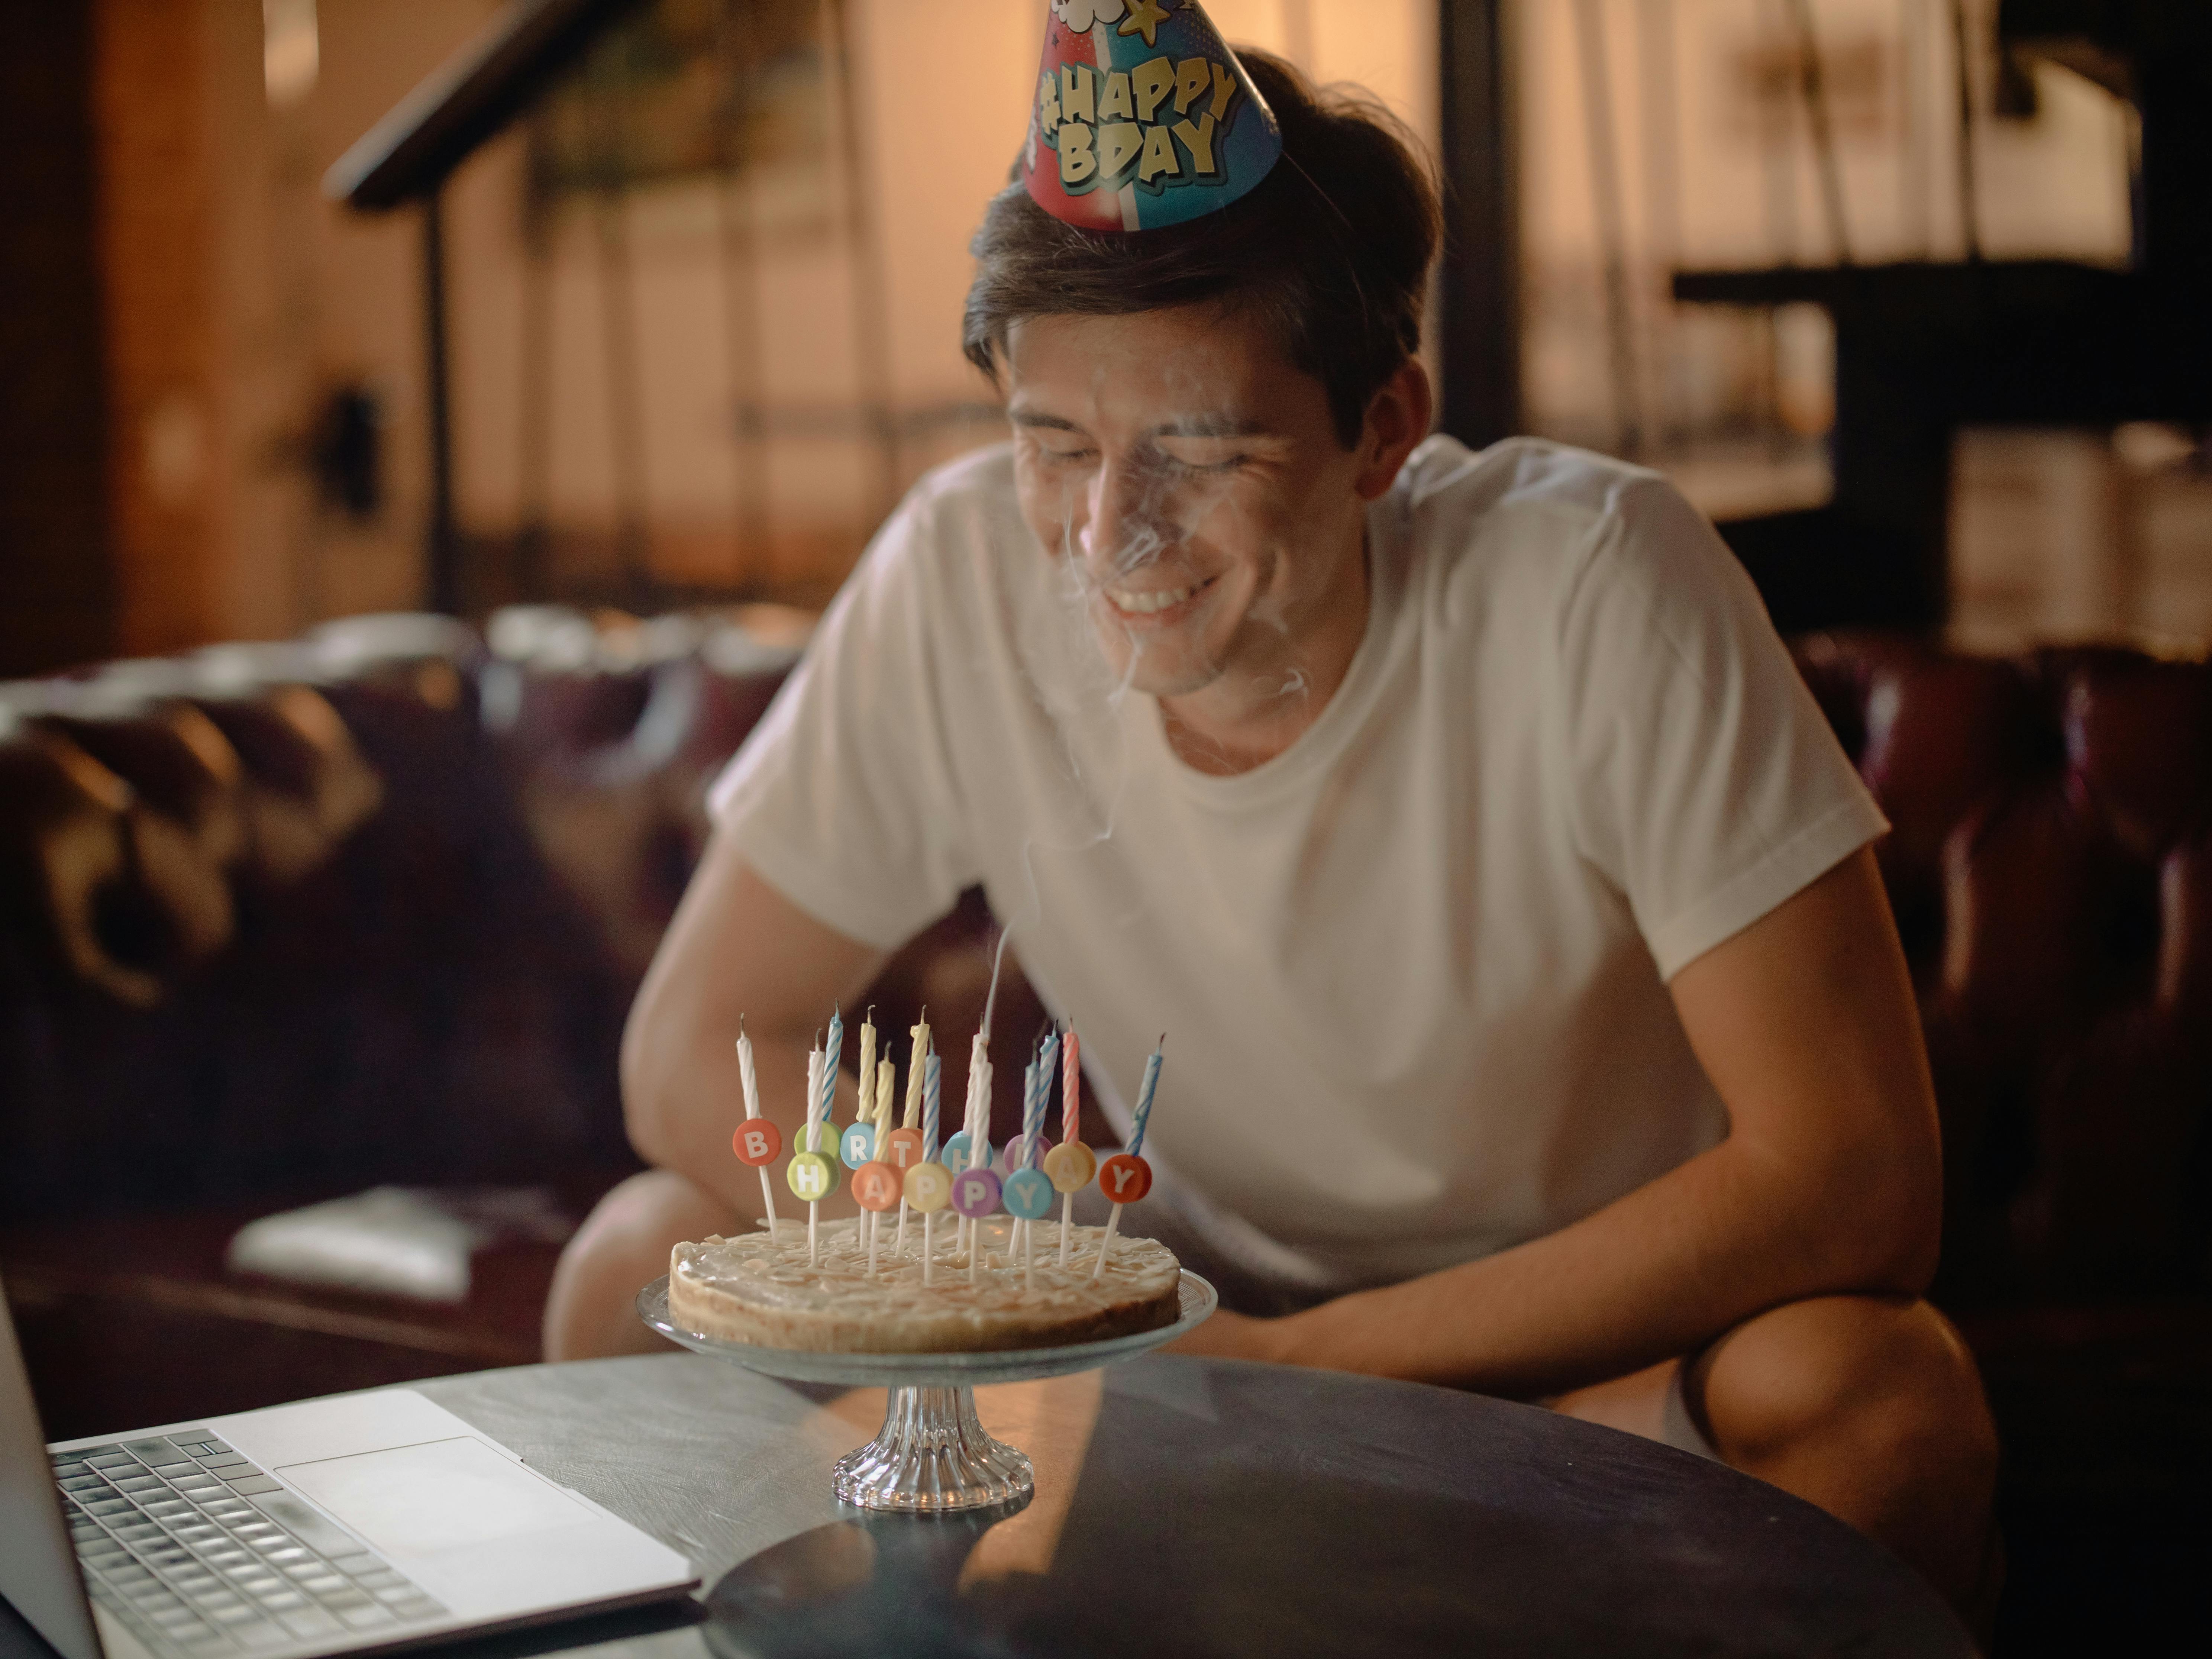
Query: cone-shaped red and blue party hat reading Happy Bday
[(1142, 116)]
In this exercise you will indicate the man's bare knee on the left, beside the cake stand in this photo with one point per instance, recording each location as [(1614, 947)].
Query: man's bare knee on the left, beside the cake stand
[(623, 1249)]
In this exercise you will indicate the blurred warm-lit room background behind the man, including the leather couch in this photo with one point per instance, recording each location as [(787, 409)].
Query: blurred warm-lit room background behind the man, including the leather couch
[(428, 430)]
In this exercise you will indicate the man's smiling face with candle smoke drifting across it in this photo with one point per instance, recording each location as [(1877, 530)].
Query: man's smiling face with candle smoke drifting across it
[(1198, 488)]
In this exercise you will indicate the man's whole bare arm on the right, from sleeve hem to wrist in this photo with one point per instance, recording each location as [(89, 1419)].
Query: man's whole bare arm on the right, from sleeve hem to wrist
[(1828, 1182)]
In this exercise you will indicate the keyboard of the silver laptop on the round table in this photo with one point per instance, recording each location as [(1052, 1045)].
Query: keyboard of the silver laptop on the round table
[(200, 1554)]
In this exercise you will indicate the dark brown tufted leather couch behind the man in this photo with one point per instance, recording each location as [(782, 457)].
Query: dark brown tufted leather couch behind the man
[(371, 910)]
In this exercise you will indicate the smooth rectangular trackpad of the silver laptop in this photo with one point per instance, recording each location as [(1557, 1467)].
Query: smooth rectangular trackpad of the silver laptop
[(437, 1496)]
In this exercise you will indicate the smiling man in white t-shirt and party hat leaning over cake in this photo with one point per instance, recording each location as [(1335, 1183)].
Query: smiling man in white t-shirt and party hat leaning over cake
[(1538, 1023)]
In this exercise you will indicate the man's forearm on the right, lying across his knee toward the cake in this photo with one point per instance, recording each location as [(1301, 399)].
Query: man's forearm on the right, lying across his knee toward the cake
[(1653, 1275)]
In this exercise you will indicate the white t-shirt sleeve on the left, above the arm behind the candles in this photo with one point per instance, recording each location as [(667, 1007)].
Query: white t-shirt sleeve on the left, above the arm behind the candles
[(844, 797)]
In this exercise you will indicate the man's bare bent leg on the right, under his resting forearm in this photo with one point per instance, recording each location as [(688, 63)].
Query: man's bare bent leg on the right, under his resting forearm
[(1864, 1406)]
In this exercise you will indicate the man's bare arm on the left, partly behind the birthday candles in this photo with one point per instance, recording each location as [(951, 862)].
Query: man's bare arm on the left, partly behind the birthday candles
[(735, 948)]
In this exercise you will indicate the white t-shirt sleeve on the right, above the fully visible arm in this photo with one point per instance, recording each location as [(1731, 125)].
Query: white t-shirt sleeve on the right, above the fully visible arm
[(1707, 782)]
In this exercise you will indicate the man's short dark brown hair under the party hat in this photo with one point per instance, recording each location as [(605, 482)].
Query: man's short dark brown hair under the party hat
[(1333, 251)]
